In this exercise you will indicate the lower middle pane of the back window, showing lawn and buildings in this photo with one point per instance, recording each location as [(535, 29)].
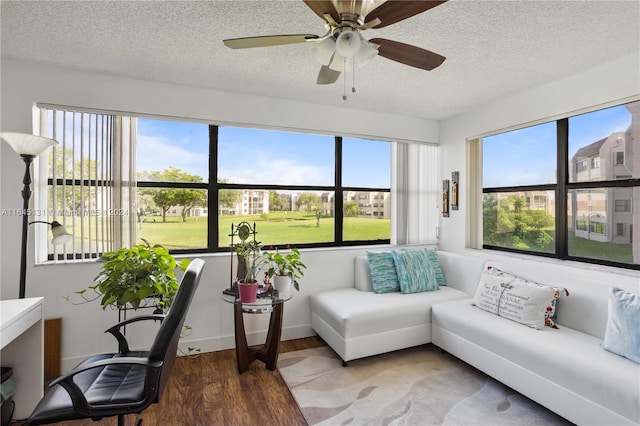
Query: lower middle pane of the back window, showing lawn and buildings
[(280, 217)]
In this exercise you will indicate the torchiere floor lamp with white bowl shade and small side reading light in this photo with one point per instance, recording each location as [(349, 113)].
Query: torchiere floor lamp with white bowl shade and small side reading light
[(28, 147)]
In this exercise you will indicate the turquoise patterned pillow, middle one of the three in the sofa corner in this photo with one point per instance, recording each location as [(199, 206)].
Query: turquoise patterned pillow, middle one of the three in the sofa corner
[(414, 270)]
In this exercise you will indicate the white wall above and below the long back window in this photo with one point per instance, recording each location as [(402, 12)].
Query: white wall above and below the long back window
[(23, 84)]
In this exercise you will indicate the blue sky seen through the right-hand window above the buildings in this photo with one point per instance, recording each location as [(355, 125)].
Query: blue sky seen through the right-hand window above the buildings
[(527, 156)]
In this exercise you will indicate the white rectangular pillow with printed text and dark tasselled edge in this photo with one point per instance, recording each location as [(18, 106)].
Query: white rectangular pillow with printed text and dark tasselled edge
[(515, 298)]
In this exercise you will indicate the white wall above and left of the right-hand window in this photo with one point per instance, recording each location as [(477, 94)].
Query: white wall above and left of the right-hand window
[(590, 89)]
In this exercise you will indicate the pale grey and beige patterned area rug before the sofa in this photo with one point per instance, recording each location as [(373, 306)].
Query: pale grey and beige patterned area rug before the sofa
[(417, 386)]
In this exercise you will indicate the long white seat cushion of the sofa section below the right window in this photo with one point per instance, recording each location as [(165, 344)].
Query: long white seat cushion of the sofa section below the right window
[(572, 359)]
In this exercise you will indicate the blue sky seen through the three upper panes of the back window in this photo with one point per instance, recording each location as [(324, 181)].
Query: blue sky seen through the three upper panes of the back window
[(261, 156)]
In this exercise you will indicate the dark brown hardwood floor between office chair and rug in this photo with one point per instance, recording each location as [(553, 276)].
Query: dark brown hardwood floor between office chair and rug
[(207, 390)]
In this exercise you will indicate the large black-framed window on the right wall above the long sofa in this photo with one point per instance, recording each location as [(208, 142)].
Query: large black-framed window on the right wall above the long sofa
[(567, 189)]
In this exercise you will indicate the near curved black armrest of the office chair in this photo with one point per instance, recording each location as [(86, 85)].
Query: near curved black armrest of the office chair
[(80, 402)]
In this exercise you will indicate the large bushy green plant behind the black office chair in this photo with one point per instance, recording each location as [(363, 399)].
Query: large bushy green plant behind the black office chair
[(130, 277)]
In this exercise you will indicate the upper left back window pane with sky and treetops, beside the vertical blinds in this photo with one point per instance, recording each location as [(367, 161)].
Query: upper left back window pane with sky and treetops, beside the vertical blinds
[(172, 151)]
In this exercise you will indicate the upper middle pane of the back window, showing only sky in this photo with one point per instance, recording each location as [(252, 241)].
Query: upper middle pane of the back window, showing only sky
[(276, 158)]
